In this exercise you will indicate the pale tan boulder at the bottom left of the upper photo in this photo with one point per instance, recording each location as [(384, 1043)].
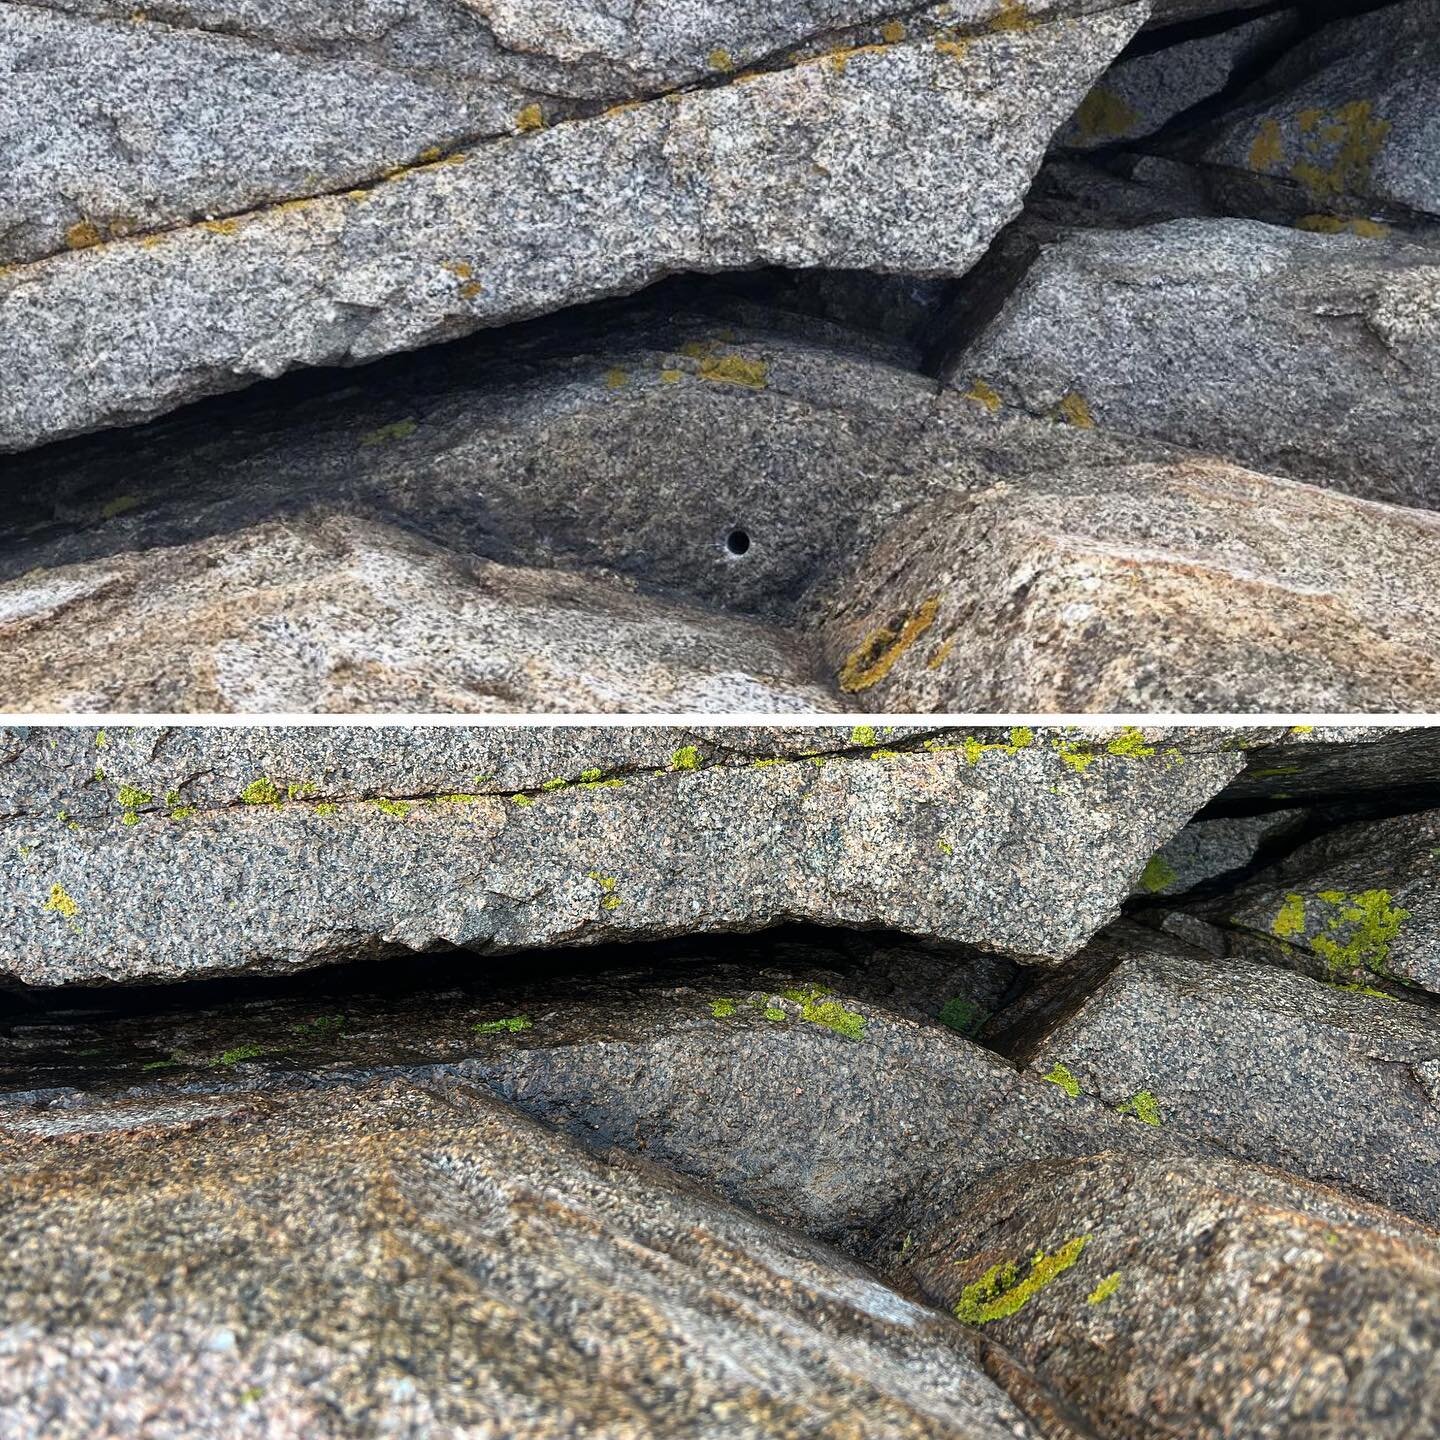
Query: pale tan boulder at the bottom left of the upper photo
[(325, 614)]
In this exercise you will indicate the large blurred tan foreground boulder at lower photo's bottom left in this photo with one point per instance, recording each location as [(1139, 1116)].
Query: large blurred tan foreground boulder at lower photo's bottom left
[(413, 1261)]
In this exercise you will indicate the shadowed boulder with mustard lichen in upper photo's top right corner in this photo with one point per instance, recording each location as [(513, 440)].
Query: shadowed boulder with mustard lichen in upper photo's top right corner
[(1343, 126)]
